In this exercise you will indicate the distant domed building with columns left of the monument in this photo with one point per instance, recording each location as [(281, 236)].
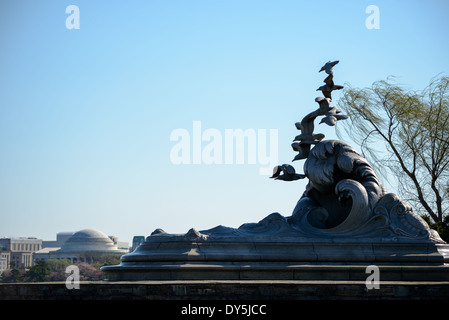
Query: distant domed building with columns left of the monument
[(83, 246)]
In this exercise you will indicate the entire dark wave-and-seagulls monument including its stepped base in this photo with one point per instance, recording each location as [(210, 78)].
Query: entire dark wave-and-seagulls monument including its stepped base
[(344, 221)]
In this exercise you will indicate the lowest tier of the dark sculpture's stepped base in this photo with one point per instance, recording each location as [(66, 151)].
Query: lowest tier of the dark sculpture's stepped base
[(271, 271)]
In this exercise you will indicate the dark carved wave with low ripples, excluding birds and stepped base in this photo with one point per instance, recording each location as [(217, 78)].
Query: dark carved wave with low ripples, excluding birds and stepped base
[(344, 199)]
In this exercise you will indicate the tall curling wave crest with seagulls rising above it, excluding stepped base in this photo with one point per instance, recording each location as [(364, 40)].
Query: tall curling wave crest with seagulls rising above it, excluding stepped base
[(344, 197)]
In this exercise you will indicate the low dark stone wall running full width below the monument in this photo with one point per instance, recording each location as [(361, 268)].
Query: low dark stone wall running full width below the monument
[(226, 290)]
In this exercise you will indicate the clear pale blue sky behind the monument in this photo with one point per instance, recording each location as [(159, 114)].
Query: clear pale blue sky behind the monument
[(86, 115)]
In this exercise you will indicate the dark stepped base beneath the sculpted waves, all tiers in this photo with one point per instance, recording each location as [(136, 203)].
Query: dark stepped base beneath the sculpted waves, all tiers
[(175, 257)]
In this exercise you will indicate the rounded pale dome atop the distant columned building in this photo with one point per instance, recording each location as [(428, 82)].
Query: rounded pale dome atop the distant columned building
[(88, 240)]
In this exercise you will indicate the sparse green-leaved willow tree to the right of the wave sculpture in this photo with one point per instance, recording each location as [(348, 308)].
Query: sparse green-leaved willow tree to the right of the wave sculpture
[(413, 127)]
